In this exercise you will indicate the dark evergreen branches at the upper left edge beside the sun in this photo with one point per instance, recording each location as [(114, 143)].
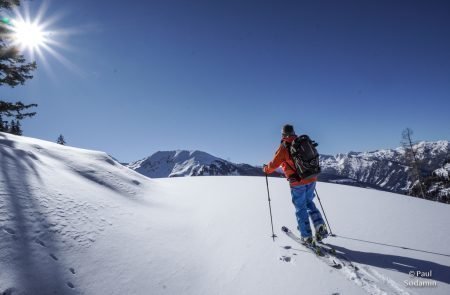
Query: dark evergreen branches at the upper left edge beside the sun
[(14, 69)]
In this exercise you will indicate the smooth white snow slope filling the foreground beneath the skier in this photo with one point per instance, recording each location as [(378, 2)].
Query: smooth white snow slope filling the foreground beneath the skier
[(74, 221)]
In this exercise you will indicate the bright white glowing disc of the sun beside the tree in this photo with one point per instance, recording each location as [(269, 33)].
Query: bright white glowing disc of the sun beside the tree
[(29, 35)]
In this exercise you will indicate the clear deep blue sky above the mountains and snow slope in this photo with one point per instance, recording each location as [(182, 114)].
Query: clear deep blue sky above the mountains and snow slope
[(224, 76)]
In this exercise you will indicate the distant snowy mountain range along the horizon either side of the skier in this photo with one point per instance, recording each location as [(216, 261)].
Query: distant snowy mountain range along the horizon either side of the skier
[(381, 169)]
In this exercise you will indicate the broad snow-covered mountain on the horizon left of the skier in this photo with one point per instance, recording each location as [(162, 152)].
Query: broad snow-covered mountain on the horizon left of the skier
[(189, 163)]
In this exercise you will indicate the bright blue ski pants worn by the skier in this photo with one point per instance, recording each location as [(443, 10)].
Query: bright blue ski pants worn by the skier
[(302, 197)]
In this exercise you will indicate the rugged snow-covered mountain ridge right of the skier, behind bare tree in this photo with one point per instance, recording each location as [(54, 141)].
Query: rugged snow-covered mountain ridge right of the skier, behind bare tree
[(382, 169)]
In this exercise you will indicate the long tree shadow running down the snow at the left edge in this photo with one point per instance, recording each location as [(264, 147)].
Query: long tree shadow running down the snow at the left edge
[(24, 223)]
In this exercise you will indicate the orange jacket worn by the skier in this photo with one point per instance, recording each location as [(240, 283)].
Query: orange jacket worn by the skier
[(283, 159)]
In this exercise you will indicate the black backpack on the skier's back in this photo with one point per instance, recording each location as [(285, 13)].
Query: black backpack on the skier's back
[(305, 156)]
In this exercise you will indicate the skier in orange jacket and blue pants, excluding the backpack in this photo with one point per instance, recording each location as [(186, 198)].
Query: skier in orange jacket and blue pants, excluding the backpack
[(302, 190)]
